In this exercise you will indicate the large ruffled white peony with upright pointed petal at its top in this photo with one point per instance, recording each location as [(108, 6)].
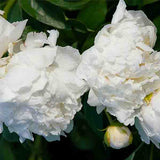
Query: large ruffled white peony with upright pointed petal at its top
[(122, 68)]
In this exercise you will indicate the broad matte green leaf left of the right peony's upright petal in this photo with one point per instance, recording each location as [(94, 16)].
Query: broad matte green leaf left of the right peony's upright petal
[(94, 14)]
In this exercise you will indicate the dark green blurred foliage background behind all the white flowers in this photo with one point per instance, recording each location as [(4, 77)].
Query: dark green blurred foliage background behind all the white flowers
[(78, 22)]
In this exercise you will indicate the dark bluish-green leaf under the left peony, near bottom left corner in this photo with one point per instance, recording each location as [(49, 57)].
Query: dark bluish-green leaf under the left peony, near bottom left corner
[(10, 137)]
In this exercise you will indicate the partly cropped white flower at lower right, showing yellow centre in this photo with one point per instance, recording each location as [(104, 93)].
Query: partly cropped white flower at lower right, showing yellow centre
[(148, 124)]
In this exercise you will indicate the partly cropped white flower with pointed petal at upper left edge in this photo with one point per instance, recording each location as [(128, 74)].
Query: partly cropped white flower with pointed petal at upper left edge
[(9, 33)]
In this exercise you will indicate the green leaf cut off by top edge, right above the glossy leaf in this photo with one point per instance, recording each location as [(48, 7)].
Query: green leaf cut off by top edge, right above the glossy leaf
[(70, 4)]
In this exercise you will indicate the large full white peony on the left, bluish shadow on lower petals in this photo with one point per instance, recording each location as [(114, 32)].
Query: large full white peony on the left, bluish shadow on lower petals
[(39, 89)]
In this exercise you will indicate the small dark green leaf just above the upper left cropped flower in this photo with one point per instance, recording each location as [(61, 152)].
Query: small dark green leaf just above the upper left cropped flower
[(15, 14)]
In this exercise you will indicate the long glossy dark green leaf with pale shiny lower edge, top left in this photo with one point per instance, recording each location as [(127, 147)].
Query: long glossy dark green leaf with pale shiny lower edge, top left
[(45, 13)]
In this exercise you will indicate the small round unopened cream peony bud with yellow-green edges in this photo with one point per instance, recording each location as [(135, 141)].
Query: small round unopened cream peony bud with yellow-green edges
[(118, 137)]
